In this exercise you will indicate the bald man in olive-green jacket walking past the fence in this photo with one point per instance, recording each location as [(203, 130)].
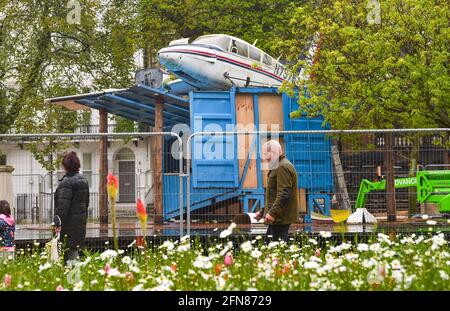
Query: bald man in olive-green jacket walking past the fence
[(281, 203)]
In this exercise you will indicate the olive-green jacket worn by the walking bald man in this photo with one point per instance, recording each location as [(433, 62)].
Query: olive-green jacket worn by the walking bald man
[(281, 200)]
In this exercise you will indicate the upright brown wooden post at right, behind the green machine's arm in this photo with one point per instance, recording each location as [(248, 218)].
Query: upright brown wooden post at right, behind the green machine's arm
[(390, 177)]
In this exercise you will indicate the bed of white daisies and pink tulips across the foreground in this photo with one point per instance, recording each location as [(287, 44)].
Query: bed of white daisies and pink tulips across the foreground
[(403, 263)]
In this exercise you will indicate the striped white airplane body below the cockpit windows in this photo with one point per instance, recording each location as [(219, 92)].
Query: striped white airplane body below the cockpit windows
[(208, 67)]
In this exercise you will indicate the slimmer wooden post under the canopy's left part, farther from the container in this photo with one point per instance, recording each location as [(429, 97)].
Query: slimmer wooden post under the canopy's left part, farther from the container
[(103, 169)]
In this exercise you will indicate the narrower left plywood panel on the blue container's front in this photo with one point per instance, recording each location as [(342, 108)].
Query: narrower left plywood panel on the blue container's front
[(246, 122)]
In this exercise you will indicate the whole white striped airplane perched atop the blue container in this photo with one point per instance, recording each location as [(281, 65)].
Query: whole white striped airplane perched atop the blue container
[(219, 62)]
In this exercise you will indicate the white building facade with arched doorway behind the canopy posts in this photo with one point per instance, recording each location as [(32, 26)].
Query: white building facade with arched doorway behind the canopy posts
[(33, 185)]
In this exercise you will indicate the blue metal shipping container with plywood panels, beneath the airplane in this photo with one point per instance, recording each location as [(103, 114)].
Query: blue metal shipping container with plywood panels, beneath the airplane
[(228, 167)]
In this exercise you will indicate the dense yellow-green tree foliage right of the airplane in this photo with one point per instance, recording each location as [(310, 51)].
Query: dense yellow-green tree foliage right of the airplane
[(388, 75)]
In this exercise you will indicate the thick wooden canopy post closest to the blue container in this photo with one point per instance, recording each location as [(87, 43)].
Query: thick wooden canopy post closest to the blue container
[(157, 158)]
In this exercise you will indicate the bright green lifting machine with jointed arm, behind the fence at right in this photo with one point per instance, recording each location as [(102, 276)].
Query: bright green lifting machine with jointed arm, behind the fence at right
[(433, 186)]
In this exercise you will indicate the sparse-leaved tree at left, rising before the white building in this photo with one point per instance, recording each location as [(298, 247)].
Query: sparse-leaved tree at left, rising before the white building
[(44, 55)]
